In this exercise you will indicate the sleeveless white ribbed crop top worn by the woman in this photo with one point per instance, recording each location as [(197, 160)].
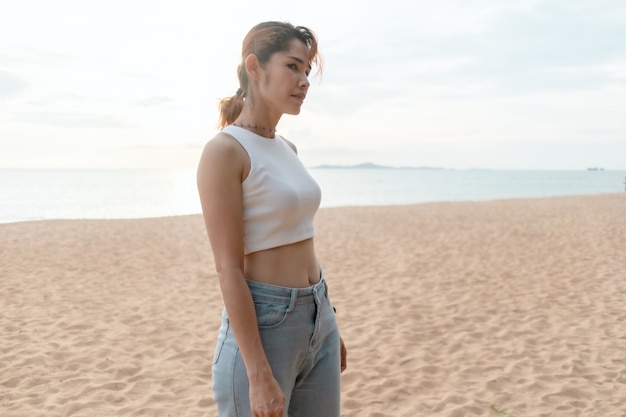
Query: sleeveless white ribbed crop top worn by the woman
[(280, 197)]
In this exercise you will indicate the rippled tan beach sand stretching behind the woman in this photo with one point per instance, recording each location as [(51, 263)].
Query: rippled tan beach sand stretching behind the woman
[(513, 308)]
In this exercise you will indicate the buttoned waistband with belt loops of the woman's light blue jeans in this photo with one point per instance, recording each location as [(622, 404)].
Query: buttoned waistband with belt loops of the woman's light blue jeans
[(287, 295)]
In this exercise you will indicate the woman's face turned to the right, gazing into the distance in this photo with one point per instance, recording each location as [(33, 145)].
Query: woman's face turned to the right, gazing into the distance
[(284, 81)]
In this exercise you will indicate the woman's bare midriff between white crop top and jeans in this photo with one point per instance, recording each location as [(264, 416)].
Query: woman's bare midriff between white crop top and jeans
[(293, 265)]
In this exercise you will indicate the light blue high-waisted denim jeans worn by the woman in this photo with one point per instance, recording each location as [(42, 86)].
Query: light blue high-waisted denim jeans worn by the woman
[(301, 341)]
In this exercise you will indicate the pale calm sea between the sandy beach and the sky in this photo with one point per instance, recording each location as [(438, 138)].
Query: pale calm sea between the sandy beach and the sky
[(30, 195)]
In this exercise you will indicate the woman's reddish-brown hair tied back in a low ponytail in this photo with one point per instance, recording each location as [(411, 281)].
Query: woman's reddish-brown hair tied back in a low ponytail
[(263, 40)]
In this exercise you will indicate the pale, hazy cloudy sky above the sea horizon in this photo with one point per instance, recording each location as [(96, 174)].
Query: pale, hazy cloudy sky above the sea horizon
[(459, 84)]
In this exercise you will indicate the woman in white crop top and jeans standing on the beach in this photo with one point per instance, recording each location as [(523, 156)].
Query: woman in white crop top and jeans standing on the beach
[(279, 351)]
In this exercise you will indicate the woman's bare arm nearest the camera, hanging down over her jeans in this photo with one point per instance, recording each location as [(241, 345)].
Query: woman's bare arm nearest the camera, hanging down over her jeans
[(221, 170)]
